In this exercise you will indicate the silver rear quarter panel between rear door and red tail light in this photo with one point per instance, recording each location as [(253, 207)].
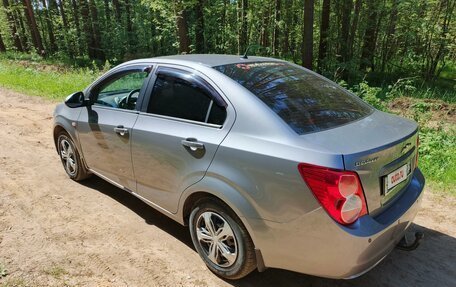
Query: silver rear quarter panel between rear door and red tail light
[(266, 174)]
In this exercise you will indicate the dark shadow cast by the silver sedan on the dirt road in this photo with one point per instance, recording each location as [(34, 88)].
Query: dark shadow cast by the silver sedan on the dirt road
[(432, 264)]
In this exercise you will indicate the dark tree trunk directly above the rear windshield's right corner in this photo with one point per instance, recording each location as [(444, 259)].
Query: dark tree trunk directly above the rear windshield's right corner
[(369, 39)]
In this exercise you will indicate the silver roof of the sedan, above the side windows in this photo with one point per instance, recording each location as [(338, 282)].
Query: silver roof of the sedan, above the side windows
[(212, 60)]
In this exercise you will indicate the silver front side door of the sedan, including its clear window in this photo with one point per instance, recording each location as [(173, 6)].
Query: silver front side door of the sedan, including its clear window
[(105, 127)]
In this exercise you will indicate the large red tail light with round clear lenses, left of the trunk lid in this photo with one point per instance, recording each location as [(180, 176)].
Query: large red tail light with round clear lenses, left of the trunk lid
[(339, 192)]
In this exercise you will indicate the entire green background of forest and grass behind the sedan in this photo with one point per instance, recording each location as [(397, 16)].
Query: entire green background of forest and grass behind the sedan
[(398, 55)]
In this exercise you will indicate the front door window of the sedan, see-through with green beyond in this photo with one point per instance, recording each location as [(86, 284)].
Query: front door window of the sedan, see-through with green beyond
[(121, 91)]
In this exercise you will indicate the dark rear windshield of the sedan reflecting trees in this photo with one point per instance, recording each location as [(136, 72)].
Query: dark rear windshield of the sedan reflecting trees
[(305, 101)]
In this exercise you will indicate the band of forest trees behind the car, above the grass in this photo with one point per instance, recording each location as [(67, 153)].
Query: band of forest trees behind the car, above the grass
[(341, 39)]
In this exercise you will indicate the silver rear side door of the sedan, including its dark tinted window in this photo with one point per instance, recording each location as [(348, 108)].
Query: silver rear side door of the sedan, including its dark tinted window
[(182, 122)]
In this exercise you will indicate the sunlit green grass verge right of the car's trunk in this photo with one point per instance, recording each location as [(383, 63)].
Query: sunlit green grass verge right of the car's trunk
[(437, 121)]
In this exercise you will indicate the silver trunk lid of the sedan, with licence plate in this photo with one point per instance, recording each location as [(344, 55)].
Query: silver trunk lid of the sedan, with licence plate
[(379, 148)]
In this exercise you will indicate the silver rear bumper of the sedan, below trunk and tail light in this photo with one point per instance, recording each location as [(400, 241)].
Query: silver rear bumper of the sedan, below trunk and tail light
[(314, 244)]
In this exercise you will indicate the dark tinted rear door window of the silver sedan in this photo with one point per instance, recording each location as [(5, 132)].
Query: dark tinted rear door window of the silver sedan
[(179, 98)]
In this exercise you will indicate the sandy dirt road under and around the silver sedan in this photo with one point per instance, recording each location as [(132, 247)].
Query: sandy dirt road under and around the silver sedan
[(55, 232)]
